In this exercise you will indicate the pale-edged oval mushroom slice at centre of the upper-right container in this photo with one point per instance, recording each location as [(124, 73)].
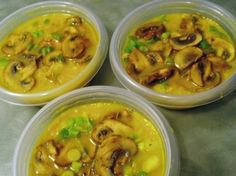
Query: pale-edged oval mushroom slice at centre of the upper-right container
[(187, 57)]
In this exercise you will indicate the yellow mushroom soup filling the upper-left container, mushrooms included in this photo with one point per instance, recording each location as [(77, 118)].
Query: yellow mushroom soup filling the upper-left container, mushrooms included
[(46, 52)]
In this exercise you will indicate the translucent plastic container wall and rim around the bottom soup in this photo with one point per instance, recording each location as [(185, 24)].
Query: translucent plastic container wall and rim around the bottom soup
[(92, 94)]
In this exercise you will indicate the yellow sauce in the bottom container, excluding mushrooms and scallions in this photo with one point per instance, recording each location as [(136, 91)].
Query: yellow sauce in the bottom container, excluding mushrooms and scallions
[(151, 155)]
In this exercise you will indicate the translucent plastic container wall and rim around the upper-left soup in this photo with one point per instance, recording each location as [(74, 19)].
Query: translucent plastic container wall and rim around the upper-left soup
[(80, 80)]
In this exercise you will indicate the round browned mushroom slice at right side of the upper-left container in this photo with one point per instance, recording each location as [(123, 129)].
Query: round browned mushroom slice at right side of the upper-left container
[(73, 46)]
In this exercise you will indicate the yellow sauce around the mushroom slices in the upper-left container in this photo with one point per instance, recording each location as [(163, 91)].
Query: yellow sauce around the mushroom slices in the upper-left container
[(41, 29)]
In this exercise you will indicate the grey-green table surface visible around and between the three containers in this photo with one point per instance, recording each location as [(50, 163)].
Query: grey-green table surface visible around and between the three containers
[(206, 135)]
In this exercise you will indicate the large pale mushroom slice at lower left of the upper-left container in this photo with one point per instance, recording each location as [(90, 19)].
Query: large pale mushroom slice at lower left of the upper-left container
[(18, 75)]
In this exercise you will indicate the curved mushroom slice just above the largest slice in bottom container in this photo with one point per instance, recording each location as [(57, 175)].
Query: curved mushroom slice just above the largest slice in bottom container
[(110, 127)]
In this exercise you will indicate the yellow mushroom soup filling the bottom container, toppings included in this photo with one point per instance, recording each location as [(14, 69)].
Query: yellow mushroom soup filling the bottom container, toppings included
[(99, 139)]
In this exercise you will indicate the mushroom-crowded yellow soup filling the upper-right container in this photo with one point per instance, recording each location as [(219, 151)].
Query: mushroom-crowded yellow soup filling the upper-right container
[(179, 54)]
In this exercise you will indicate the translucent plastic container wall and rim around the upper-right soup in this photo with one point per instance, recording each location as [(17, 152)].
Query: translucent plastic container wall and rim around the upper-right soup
[(155, 8)]
